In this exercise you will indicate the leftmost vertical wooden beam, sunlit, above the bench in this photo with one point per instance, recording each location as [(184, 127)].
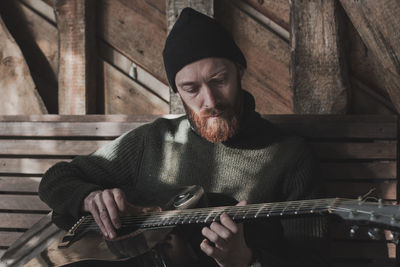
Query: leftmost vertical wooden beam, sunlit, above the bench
[(77, 56)]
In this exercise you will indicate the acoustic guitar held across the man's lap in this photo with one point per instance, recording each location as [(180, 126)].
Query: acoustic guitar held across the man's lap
[(140, 233)]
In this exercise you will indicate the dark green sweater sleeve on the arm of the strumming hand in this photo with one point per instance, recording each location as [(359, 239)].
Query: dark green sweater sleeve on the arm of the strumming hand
[(66, 184)]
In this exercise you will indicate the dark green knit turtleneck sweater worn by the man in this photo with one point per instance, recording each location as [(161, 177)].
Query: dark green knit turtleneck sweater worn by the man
[(260, 164)]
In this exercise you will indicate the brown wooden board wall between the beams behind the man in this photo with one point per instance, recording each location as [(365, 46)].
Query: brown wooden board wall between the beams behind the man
[(130, 35)]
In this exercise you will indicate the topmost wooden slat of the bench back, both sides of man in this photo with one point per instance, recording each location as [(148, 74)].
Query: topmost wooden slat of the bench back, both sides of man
[(323, 126)]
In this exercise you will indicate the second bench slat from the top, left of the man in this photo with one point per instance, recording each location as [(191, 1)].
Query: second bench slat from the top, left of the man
[(50, 147)]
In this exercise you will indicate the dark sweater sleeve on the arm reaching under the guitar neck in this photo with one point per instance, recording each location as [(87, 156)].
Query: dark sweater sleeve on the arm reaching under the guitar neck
[(299, 241)]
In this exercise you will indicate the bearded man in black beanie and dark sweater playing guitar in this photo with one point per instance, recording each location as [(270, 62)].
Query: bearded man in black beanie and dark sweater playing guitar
[(222, 144)]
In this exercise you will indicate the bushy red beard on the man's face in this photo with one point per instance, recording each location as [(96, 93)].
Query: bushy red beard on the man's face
[(216, 129)]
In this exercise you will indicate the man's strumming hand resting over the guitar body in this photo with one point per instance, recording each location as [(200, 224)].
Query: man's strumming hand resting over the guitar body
[(106, 207)]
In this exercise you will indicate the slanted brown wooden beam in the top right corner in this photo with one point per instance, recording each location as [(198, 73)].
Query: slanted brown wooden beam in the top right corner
[(378, 25)]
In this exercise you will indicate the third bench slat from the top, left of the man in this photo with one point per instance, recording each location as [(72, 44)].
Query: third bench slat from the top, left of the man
[(28, 166)]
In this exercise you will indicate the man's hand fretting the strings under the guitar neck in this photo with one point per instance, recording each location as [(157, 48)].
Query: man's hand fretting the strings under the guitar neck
[(230, 246)]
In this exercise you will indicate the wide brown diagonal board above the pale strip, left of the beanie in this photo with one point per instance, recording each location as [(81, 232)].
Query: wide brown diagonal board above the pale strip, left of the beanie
[(134, 35)]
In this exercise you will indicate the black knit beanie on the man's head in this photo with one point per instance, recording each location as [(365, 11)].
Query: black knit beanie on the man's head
[(196, 36)]
